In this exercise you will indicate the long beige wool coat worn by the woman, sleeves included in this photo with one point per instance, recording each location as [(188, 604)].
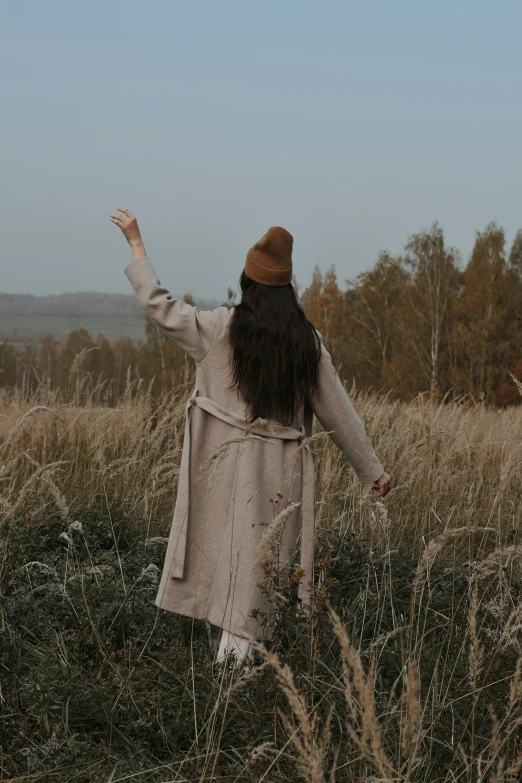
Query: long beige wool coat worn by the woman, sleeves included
[(231, 474)]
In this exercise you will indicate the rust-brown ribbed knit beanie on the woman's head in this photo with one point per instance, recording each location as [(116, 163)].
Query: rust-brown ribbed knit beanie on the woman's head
[(269, 261)]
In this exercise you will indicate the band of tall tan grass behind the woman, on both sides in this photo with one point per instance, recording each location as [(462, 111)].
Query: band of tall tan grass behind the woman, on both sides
[(452, 465)]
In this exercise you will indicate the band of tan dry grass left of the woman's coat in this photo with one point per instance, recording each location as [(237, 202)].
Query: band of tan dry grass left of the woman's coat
[(129, 453)]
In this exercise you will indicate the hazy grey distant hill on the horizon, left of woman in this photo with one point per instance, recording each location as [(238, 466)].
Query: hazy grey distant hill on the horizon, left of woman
[(27, 318)]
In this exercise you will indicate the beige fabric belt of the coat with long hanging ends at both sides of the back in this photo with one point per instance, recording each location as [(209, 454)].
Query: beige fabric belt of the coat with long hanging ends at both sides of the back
[(268, 430)]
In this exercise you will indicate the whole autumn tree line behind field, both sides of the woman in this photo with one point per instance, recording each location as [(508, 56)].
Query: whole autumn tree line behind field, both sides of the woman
[(419, 322)]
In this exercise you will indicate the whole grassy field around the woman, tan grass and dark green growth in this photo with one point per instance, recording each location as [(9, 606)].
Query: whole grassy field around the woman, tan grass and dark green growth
[(409, 667)]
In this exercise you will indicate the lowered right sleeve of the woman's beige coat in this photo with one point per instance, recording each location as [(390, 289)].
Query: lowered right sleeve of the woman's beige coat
[(335, 412)]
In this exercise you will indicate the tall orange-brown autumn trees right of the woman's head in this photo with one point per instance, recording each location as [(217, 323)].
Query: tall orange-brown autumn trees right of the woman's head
[(418, 322)]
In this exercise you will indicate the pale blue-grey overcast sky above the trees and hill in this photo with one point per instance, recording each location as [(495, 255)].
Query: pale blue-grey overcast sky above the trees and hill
[(352, 124)]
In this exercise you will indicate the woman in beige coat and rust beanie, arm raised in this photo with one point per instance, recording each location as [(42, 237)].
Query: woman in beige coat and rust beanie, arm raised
[(262, 371)]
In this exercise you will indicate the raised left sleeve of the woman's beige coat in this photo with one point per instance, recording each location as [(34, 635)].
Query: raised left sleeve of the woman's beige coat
[(189, 326)]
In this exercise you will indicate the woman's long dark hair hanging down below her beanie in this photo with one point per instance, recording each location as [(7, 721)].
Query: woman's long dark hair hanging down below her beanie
[(275, 351)]
